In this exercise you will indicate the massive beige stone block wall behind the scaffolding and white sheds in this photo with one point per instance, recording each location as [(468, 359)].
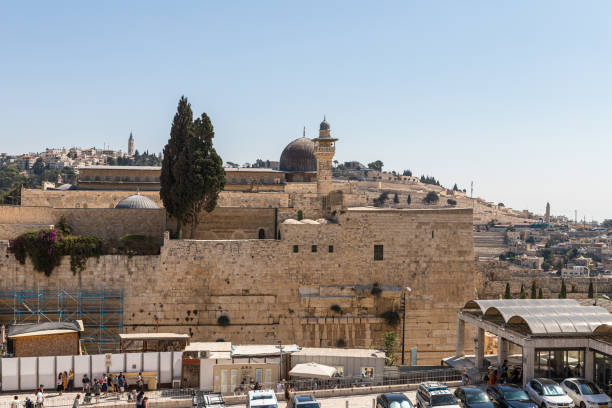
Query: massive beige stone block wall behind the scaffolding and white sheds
[(269, 292)]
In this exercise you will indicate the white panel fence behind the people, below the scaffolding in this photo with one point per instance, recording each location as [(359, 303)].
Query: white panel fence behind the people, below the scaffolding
[(26, 373)]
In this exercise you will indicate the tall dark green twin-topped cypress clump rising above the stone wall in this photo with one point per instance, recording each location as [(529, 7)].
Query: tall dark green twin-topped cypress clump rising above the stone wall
[(192, 172)]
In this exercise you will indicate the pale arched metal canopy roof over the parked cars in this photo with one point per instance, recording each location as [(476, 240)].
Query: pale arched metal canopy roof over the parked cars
[(543, 317)]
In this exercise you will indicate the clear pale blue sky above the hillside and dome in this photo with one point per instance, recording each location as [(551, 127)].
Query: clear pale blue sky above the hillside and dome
[(515, 96)]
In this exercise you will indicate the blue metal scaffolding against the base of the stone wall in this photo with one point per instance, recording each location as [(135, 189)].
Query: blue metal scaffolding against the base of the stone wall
[(100, 310)]
